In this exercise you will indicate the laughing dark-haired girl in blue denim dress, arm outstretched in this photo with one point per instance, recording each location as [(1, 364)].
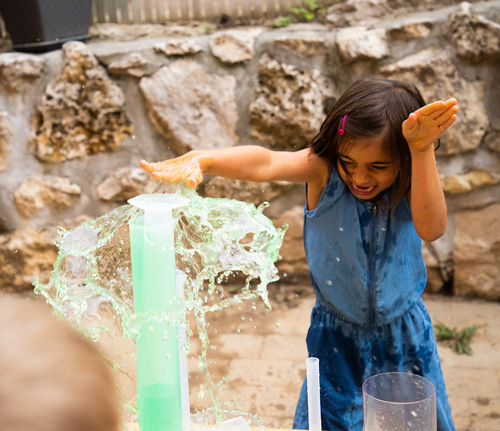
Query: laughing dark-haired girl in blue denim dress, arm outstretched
[(372, 194)]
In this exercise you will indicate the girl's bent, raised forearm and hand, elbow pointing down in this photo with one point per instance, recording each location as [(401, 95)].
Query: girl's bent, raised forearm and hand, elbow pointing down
[(422, 128)]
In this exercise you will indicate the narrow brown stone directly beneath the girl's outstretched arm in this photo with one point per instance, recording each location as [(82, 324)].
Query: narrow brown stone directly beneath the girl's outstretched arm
[(255, 193)]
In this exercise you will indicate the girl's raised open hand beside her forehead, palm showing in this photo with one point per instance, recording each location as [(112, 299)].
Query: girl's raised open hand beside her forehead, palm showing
[(424, 126)]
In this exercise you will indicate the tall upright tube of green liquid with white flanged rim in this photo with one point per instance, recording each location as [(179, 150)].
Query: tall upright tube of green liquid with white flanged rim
[(159, 398)]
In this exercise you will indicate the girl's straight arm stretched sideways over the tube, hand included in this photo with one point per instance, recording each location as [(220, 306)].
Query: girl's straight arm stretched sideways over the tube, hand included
[(246, 162)]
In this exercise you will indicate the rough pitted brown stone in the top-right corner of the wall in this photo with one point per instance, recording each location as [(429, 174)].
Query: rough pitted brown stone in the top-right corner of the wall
[(474, 37)]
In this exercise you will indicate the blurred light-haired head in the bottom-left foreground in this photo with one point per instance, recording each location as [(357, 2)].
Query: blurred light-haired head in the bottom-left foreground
[(51, 378)]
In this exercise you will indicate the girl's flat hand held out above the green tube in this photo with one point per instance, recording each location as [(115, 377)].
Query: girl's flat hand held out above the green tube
[(188, 168)]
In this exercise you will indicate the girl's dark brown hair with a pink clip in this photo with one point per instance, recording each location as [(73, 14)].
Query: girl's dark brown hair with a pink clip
[(373, 106)]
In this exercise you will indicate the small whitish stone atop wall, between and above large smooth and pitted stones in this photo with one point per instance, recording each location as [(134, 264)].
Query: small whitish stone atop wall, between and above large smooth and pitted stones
[(234, 46)]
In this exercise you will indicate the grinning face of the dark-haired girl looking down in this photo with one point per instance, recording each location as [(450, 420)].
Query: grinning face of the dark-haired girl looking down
[(370, 169)]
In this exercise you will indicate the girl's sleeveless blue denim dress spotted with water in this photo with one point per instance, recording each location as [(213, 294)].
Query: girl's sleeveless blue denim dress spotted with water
[(368, 274)]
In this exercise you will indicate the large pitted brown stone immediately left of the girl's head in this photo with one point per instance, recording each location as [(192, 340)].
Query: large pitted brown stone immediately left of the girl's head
[(288, 105)]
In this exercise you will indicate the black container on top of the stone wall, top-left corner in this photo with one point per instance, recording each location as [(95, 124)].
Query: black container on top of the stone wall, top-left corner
[(44, 25)]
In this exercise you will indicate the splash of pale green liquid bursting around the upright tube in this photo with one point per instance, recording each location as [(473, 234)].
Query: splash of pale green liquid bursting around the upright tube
[(215, 239)]
